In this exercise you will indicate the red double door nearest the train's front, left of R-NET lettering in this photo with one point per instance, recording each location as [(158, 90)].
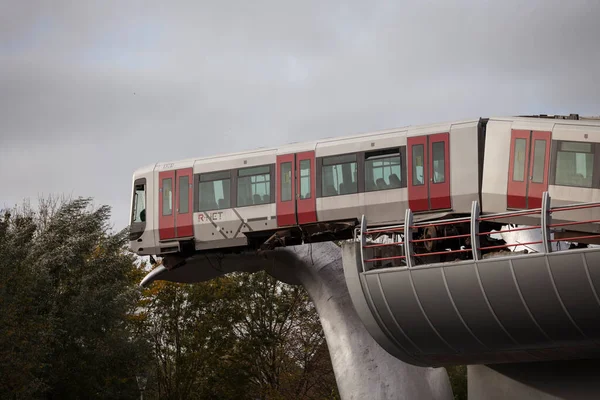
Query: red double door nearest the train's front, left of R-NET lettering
[(175, 204)]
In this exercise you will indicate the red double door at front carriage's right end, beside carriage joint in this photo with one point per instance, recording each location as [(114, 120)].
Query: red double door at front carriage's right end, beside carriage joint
[(429, 172)]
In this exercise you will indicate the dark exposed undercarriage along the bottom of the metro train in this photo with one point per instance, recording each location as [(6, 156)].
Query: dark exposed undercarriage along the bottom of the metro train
[(431, 243)]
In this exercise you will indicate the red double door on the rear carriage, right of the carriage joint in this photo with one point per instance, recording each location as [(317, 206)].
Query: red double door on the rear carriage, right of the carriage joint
[(528, 168)]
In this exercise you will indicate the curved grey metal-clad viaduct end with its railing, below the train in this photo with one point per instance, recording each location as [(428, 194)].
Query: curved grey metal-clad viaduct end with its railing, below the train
[(511, 308)]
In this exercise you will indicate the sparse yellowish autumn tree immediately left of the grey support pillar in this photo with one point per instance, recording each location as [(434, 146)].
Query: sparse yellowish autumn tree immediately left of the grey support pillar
[(282, 334)]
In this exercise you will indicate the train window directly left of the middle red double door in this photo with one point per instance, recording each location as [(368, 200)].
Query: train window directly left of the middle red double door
[(254, 186)]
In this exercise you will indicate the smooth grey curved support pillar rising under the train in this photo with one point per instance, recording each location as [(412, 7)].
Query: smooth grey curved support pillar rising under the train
[(363, 369)]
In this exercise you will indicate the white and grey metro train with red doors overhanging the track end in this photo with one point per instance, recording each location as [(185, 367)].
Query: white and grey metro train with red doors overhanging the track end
[(318, 190)]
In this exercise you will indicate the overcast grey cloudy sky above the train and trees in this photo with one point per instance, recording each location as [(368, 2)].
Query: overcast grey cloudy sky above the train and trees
[(92, 90)]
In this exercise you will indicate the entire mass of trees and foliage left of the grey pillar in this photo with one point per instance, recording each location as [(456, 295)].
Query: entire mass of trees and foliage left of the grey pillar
[(74, 324)]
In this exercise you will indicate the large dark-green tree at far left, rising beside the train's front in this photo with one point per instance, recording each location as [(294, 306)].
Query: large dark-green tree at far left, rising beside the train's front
[(68, 291)]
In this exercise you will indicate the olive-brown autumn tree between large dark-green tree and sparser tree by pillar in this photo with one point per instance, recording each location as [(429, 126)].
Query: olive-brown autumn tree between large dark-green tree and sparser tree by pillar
[(194, 348)]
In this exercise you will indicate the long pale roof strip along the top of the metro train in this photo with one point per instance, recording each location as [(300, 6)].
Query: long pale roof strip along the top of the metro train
[(409, 131)]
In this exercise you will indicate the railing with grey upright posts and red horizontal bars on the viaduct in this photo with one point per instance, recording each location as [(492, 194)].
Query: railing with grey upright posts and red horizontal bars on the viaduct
[(545, 214)]
